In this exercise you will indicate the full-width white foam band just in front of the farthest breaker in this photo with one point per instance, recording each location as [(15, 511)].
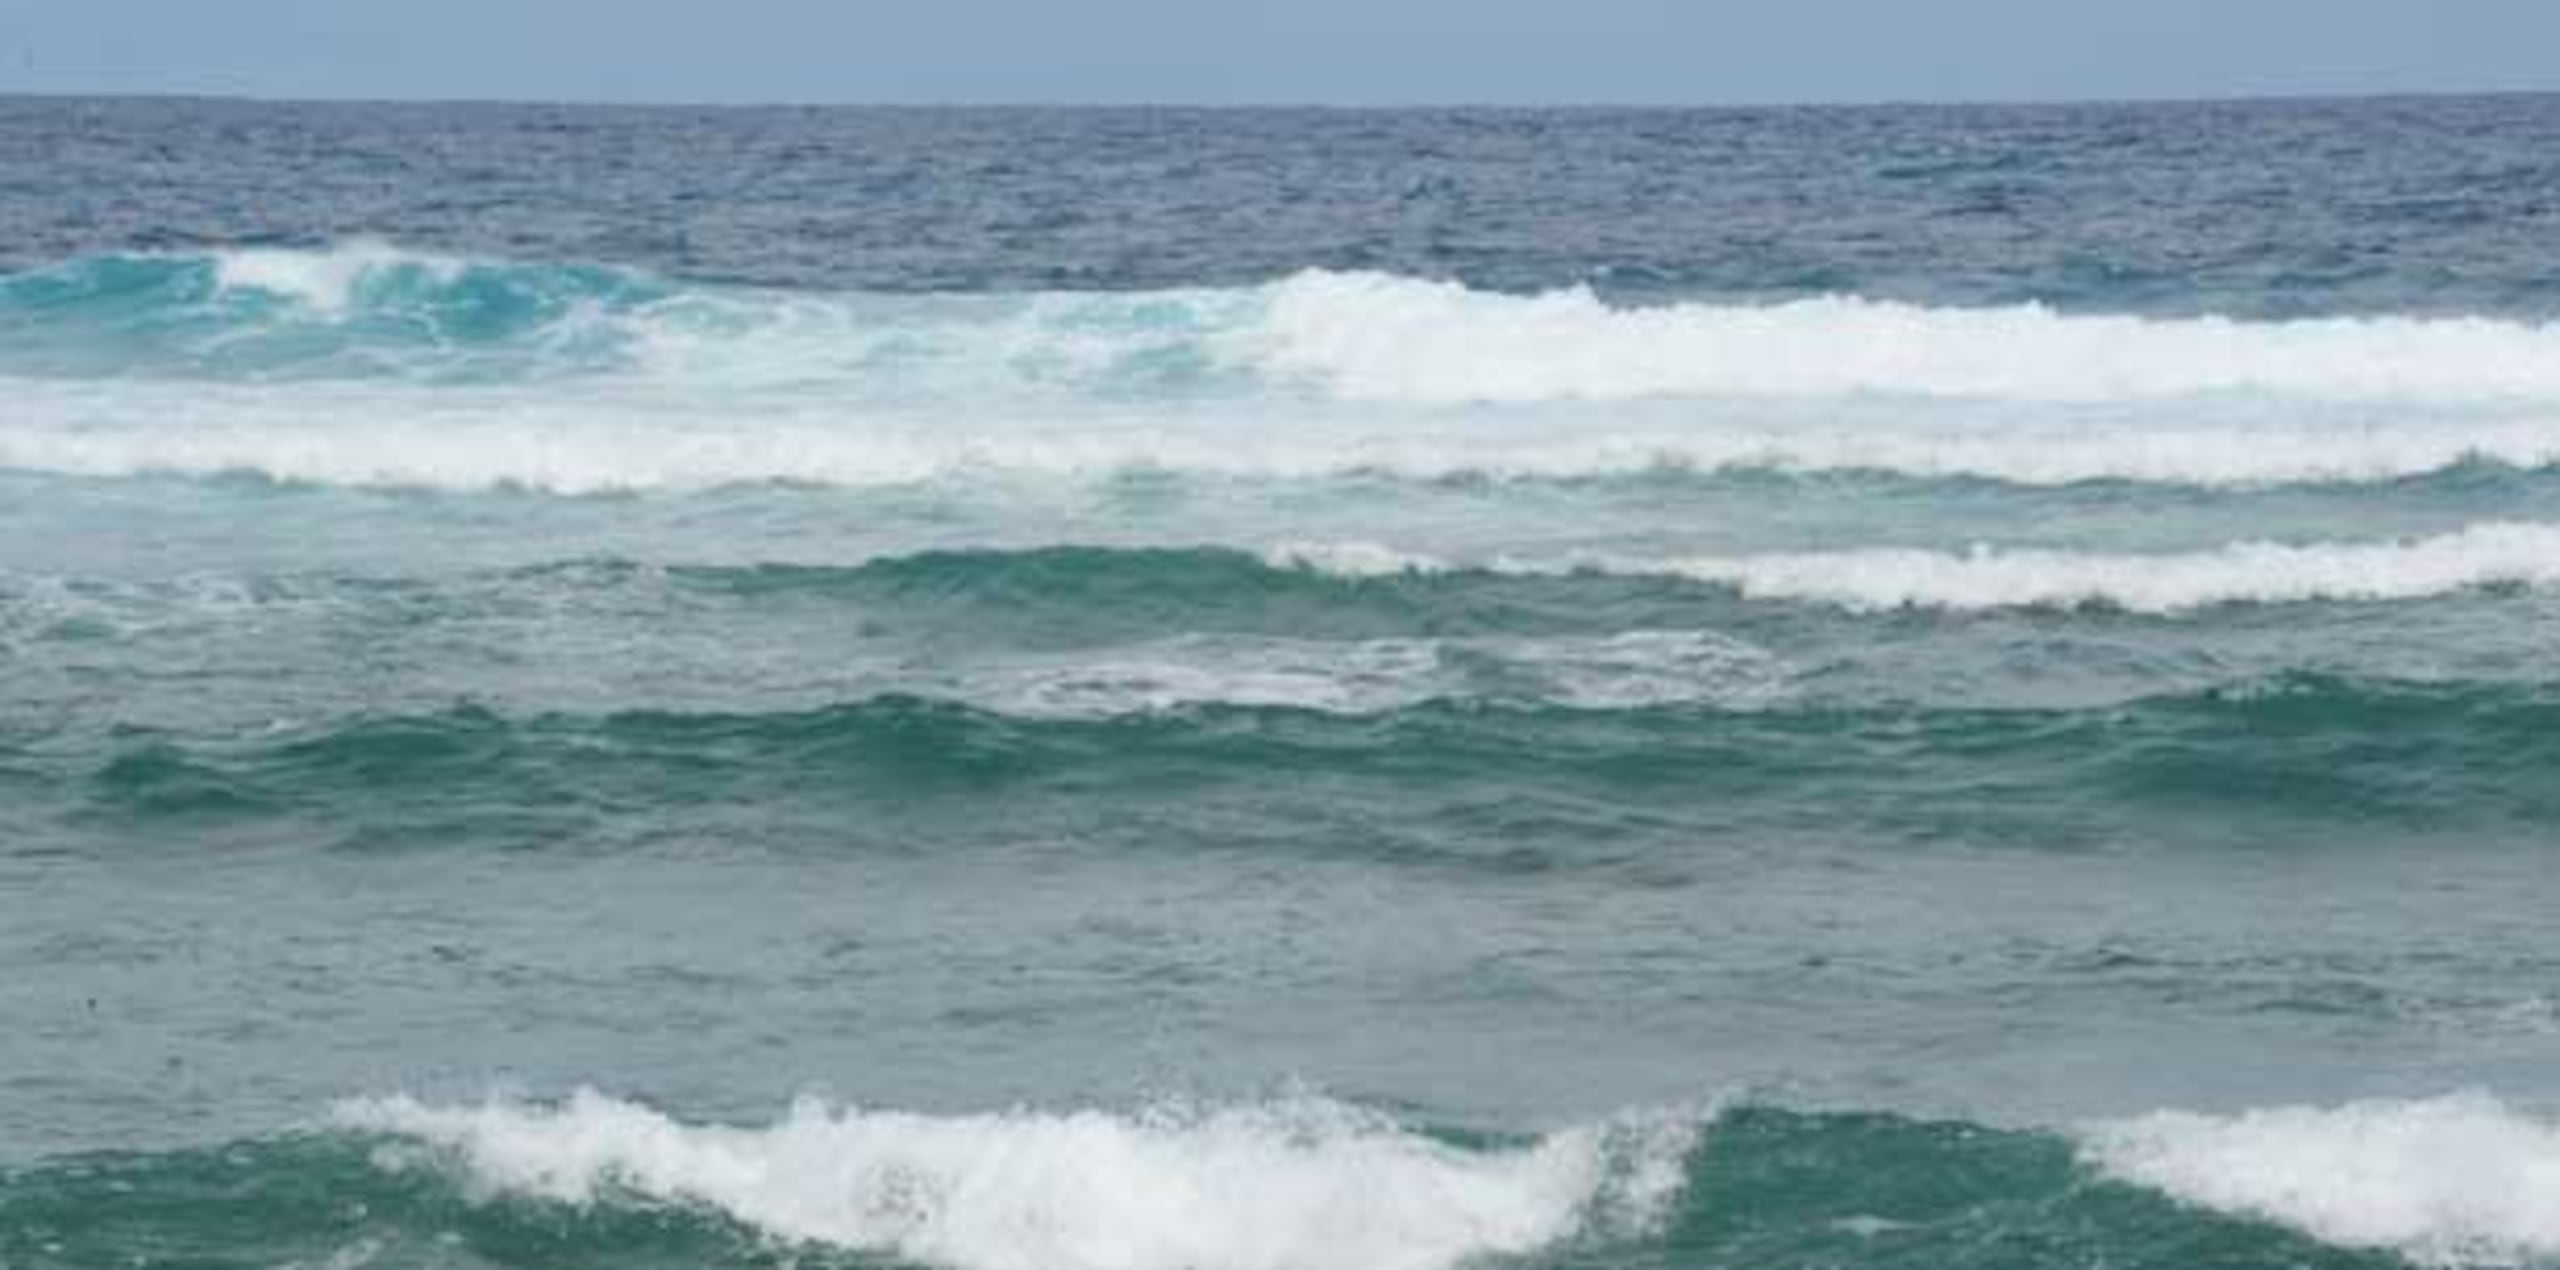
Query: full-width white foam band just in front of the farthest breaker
[(618, 437)]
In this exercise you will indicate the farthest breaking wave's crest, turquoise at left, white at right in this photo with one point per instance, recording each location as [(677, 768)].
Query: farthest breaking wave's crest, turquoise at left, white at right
[(1386, 337)]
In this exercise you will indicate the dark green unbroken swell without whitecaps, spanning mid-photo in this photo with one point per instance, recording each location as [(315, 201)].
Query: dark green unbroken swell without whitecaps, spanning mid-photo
[(2298, 752)]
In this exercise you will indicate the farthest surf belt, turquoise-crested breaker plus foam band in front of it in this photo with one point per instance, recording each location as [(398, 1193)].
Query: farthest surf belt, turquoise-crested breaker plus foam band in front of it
[(370, 365)]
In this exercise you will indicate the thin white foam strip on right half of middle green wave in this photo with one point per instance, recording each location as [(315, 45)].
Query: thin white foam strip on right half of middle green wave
[(2024, 577)]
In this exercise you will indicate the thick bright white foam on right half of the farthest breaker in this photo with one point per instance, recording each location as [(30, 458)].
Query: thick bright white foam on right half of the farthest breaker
[(1435, 342)]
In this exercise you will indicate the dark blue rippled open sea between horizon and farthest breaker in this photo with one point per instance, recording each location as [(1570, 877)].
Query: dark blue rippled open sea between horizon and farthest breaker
[(2246, 209)]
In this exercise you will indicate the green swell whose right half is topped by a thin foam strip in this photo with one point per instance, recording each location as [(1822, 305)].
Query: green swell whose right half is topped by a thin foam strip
[(1335, 595)]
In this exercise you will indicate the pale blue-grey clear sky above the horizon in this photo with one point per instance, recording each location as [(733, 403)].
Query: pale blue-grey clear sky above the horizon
[(1233, 52)]
